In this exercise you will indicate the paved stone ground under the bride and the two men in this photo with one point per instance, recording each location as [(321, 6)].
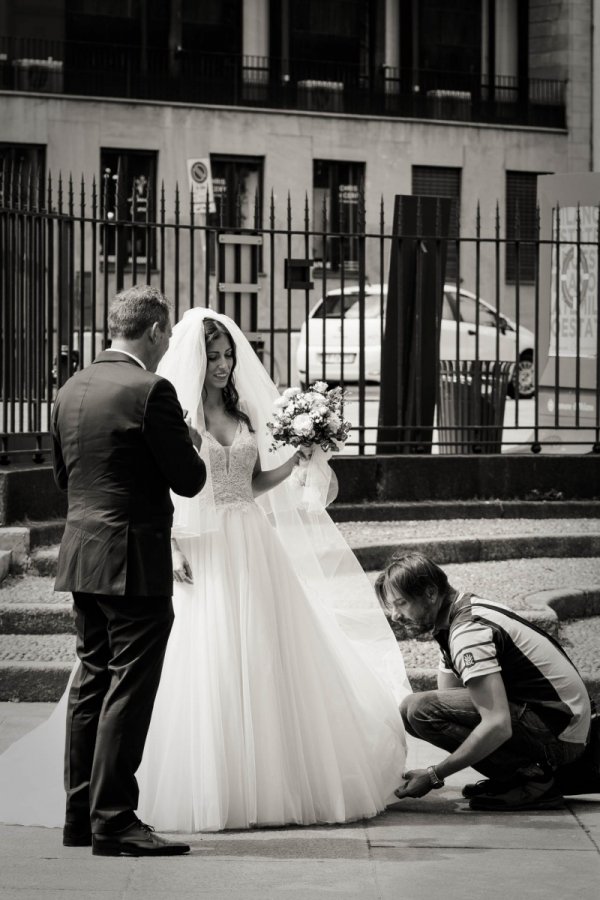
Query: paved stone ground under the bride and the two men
[(420, 850)]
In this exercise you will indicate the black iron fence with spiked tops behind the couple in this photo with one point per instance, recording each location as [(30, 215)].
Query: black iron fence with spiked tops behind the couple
[(517, 370)]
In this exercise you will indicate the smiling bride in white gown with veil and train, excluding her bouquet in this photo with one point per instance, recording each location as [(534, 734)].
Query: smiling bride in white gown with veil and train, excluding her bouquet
[(278, 701)]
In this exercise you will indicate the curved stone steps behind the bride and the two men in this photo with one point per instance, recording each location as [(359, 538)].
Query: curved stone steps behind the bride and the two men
[(37, 648)]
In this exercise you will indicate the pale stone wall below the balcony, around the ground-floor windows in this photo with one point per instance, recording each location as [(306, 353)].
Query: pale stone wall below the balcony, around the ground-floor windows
[(74, 131)]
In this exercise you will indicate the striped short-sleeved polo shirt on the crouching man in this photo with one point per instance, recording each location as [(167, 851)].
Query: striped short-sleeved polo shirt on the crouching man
[(485, 637)]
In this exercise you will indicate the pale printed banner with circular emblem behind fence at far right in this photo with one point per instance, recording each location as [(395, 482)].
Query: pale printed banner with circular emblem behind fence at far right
[(574, 310)]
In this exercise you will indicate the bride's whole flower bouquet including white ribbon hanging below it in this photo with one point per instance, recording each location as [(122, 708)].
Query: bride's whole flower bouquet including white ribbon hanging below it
[(312, 418)]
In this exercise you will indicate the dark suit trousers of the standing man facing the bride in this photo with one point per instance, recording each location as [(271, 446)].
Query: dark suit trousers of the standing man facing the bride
[(121, 644)]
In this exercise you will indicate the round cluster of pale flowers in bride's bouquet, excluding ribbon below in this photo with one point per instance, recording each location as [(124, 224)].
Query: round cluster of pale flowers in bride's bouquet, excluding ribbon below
[(312, 417)]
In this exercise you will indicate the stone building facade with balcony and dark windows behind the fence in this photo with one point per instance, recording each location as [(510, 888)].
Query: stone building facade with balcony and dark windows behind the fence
[(327, 108)]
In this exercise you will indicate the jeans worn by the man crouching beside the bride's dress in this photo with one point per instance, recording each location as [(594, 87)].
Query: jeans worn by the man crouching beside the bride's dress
[(446, 718)]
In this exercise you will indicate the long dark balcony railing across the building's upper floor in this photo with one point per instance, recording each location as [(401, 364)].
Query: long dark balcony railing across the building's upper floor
[(134, 72)]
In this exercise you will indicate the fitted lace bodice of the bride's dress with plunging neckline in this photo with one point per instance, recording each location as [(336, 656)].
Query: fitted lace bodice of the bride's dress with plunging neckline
[(232, 467)]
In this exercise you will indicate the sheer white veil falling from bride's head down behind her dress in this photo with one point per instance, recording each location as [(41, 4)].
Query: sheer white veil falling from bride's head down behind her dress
[(317, 550)]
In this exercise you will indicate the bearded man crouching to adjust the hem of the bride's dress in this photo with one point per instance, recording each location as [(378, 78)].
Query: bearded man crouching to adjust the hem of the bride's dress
[(509, 702)]
